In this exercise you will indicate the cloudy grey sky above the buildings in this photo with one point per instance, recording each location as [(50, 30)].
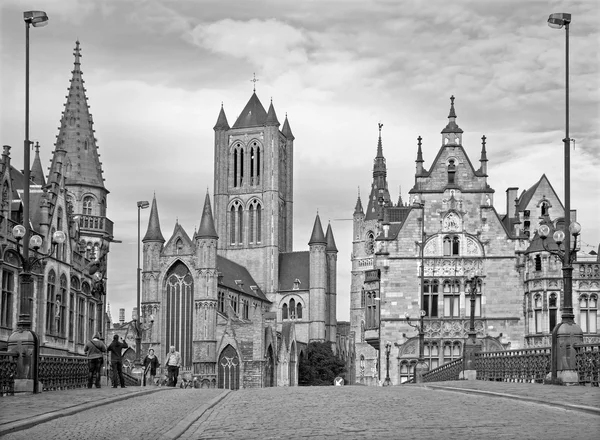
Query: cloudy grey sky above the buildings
[(157, 72)]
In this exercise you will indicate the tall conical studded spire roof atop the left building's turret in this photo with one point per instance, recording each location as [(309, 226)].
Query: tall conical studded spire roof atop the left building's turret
[(76, 135)]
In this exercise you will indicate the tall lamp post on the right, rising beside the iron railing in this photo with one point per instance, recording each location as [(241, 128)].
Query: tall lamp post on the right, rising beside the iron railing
[(567, 332)]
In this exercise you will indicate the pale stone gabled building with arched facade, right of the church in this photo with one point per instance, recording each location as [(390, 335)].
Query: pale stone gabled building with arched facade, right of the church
[(425, 253)]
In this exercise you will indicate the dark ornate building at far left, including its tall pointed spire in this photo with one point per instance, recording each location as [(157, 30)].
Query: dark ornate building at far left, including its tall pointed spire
[(68, 302)]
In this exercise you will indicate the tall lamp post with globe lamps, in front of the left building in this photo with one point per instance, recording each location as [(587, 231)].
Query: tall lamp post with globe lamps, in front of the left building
[(24, 339)]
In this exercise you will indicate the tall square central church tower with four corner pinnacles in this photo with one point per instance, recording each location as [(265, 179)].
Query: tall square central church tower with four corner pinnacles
[(254, 191)]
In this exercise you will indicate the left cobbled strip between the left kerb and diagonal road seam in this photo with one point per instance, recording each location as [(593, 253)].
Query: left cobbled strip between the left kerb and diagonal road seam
[(144, 416)]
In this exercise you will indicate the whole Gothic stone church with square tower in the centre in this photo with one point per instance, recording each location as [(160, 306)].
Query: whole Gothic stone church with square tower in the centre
[(235, 299)]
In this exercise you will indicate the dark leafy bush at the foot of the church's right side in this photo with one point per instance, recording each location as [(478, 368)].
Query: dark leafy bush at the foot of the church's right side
[(319, 366)]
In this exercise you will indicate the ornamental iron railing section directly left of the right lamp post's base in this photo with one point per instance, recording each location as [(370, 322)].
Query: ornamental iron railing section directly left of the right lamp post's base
[(525, 365)]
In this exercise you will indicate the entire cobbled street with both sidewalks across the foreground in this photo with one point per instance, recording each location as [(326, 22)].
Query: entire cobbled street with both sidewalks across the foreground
[(440, 411)]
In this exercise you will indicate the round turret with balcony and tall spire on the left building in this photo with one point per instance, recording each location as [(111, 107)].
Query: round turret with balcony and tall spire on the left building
[(81, 168)]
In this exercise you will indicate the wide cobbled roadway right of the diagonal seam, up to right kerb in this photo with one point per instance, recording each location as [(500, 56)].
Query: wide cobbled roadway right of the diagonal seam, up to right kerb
[(385, 413)]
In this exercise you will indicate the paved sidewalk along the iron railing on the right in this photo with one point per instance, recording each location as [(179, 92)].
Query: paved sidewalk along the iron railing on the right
[(576, 398)]
